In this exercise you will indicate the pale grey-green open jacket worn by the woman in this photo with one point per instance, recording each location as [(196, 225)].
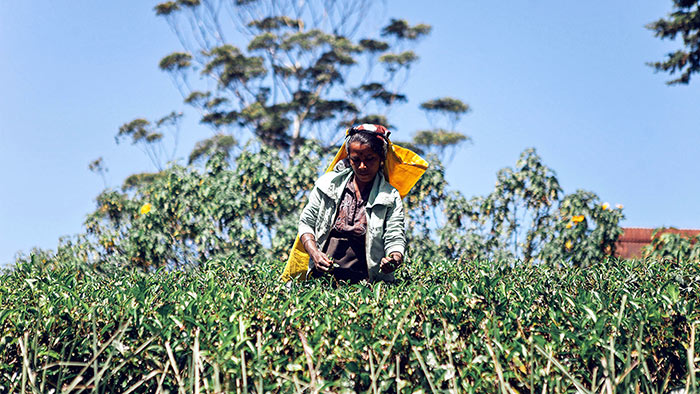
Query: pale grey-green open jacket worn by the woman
[(385, 218)]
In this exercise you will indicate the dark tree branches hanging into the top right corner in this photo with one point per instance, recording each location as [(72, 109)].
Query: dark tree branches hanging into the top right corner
[(684, 20)]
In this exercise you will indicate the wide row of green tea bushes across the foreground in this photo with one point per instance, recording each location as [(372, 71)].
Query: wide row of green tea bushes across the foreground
[(466, 327)]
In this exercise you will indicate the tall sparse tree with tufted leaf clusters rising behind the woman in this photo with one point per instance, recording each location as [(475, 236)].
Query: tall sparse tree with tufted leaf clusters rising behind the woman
[(285, 71)]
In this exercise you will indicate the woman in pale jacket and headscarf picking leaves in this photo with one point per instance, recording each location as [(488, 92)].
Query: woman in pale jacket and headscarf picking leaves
[(353, 225)]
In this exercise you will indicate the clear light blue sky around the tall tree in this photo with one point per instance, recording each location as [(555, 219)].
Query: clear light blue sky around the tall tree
[(568, 78)]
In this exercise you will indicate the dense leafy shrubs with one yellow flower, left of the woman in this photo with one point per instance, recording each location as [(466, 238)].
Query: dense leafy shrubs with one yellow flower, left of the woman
[(181, 215)]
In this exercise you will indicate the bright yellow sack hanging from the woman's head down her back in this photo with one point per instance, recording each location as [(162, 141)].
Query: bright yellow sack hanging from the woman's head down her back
[(403, 168)]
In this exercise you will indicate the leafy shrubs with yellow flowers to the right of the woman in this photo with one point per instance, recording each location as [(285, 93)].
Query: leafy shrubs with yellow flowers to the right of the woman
[(526, 217)]
